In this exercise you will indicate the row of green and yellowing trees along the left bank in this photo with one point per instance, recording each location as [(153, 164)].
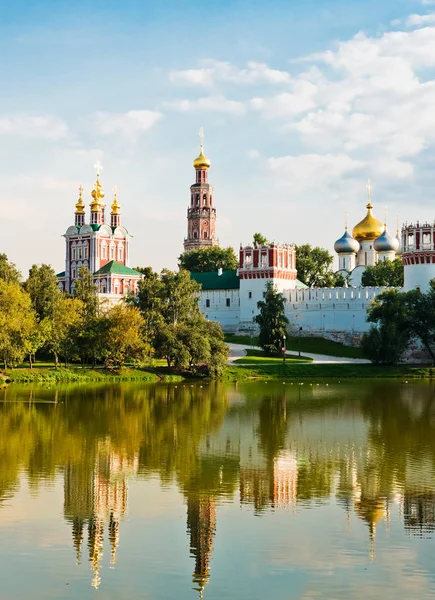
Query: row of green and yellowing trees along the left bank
[(163, 320)]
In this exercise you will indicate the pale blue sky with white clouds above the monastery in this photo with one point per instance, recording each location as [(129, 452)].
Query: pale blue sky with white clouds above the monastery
[(301, 102)]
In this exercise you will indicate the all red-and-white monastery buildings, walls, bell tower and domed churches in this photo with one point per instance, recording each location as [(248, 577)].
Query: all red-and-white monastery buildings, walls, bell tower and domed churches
[(230, 297)]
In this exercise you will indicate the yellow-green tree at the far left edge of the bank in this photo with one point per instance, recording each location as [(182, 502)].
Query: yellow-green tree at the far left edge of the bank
[(17, 322)]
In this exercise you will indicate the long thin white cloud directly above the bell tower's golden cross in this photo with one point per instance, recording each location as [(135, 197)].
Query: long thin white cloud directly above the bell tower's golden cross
[(212, 72)]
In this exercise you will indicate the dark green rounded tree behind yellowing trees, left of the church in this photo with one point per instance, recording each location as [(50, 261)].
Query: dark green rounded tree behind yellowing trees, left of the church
[(42, 286)]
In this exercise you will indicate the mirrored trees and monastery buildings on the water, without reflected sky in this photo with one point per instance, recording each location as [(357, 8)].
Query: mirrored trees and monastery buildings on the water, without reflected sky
[(367, 448)]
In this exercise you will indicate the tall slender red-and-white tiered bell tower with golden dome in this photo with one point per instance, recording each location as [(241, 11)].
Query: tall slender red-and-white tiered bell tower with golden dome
[(201, 215)]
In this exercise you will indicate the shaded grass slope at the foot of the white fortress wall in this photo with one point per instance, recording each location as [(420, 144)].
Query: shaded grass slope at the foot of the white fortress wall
[(308, 345)]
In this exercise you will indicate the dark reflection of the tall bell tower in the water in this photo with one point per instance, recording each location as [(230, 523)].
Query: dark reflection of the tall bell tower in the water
[(201, 525)]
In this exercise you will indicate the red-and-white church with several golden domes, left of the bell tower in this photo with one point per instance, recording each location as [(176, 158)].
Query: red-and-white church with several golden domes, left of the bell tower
[(101, 247)]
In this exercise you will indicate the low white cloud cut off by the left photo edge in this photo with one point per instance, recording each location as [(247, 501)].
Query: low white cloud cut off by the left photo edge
[(44, 127)]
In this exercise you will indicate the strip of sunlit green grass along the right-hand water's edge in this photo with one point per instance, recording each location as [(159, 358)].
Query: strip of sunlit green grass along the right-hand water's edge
[(301, 370)]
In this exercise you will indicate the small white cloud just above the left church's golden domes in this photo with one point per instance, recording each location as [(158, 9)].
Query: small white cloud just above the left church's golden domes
[(129, 124)]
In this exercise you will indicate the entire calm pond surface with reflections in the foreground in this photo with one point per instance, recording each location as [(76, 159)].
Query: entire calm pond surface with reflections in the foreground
[(255, 491)]
